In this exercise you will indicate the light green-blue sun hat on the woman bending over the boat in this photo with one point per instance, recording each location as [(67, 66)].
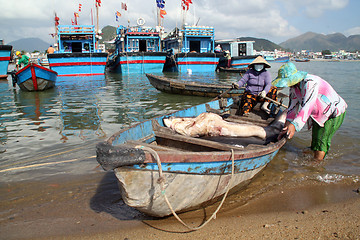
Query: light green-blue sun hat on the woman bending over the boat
[(288, 76)]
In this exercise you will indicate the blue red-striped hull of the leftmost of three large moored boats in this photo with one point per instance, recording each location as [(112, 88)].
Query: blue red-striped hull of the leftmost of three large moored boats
[(77, 64)]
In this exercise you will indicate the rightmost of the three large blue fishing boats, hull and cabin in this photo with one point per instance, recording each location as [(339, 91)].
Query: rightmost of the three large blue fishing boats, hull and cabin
[(191, 49)]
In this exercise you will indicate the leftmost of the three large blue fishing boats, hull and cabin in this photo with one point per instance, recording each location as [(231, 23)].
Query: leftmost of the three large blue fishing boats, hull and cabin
[(77, 53)]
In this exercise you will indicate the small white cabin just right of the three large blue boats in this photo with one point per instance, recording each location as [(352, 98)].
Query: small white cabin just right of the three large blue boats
[(237, 48)]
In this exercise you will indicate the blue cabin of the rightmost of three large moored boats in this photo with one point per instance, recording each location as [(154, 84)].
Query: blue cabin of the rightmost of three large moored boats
[(198, 39)]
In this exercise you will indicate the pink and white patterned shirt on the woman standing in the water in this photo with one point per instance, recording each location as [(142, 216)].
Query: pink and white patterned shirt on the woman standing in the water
[(313, 98)]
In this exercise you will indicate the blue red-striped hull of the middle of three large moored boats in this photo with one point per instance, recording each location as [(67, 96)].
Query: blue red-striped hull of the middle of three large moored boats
[(138, 62)]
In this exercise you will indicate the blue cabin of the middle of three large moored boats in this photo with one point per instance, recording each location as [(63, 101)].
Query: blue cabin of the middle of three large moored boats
[(137, 39)]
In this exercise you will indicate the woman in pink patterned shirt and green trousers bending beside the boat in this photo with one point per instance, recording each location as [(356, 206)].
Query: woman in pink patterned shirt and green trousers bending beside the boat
[(311, 97)]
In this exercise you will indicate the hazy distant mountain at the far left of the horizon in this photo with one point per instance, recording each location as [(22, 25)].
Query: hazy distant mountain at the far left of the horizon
[(30, 45)]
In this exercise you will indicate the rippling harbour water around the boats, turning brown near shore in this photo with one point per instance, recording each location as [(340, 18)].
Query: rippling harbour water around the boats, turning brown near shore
[(53, 133)]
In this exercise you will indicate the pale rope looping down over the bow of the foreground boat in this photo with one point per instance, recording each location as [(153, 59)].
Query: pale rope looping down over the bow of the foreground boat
[(162, 180)]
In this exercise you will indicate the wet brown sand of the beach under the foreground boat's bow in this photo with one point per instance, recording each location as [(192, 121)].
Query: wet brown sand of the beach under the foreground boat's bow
[(90, 207)]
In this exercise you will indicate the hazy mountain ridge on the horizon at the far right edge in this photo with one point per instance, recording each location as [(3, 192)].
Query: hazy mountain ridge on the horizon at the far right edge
[(318, 42)]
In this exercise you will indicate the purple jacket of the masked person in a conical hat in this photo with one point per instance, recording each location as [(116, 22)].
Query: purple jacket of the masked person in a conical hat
[(256, 81)]
